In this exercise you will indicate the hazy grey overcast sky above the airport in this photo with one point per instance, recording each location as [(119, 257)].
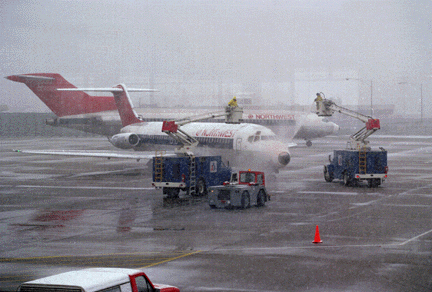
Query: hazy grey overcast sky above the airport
[(286, 50)]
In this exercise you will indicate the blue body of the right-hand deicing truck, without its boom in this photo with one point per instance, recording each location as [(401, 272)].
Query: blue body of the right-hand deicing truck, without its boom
[(353, 166)]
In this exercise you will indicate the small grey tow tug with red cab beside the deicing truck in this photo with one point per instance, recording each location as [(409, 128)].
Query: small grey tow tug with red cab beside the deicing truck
[(244, 189)]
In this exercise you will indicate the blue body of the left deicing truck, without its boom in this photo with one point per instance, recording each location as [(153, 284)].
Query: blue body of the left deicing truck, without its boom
[(190, 174)]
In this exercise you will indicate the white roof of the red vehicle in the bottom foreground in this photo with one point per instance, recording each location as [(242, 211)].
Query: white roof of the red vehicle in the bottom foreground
[(92, 279)]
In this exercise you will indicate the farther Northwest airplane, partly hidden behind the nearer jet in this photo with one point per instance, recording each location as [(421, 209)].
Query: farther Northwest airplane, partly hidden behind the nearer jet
[(99, 115)]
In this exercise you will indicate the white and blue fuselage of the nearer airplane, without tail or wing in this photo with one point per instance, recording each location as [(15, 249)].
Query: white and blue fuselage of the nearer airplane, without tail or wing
[(244, 144)]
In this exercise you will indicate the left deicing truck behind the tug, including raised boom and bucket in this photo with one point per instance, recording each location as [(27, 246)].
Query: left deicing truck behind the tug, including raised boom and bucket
[(187, 172)]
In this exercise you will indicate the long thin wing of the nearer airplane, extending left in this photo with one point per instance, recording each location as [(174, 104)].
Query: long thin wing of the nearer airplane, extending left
[(107, 154)]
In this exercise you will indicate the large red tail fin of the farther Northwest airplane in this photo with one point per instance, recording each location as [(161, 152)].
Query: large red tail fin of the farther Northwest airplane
[(63, 103)]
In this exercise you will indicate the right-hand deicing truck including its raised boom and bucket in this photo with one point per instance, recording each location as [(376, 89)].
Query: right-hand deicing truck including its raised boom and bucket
[(358, 162)]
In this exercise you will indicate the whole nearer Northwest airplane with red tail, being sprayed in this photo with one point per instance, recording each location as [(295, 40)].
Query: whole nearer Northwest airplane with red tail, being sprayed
[(248, 145)]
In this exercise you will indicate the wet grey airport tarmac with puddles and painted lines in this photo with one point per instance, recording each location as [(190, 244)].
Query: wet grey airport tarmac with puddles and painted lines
[(61, 213)]
